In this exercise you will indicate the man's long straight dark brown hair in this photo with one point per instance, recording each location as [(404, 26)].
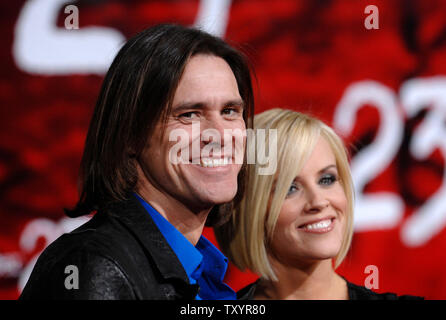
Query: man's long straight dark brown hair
[(137, 93)]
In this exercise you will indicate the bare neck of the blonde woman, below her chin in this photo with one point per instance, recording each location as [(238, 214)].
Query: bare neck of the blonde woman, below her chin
[(314, 281)]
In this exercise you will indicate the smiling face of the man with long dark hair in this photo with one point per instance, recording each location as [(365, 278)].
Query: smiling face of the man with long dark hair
[(208, 96)]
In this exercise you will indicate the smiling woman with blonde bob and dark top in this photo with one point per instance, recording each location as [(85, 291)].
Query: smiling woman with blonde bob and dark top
[(293, 228)]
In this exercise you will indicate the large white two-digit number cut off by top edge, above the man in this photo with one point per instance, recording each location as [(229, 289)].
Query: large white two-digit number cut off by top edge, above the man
[(41, 47)]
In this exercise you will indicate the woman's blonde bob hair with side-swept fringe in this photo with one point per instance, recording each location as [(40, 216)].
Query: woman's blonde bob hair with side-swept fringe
[(246, 238)]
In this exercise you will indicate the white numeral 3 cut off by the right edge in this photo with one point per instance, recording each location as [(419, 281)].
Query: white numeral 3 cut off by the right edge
[(418, 94)]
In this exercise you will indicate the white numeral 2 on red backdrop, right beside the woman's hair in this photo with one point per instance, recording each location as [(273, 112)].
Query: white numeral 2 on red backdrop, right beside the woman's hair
[(380, 210)]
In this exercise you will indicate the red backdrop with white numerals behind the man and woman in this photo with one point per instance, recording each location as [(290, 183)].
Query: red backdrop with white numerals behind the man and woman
[(383, 90)]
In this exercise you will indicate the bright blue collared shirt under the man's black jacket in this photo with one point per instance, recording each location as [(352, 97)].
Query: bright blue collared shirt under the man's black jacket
[(204, 264)]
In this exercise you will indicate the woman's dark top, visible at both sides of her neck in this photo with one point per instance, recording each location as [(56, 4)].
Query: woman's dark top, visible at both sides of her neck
[(355, 292)]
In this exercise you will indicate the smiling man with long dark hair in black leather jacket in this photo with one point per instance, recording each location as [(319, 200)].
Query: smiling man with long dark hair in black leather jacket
[(145, 240)]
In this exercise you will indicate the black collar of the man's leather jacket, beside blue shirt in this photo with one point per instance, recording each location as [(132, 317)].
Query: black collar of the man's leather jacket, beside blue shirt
[(135, 217)]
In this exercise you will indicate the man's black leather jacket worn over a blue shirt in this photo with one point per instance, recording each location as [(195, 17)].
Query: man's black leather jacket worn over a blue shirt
[(120, 254)]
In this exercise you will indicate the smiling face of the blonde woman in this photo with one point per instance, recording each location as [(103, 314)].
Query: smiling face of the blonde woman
[(311, 222)]
